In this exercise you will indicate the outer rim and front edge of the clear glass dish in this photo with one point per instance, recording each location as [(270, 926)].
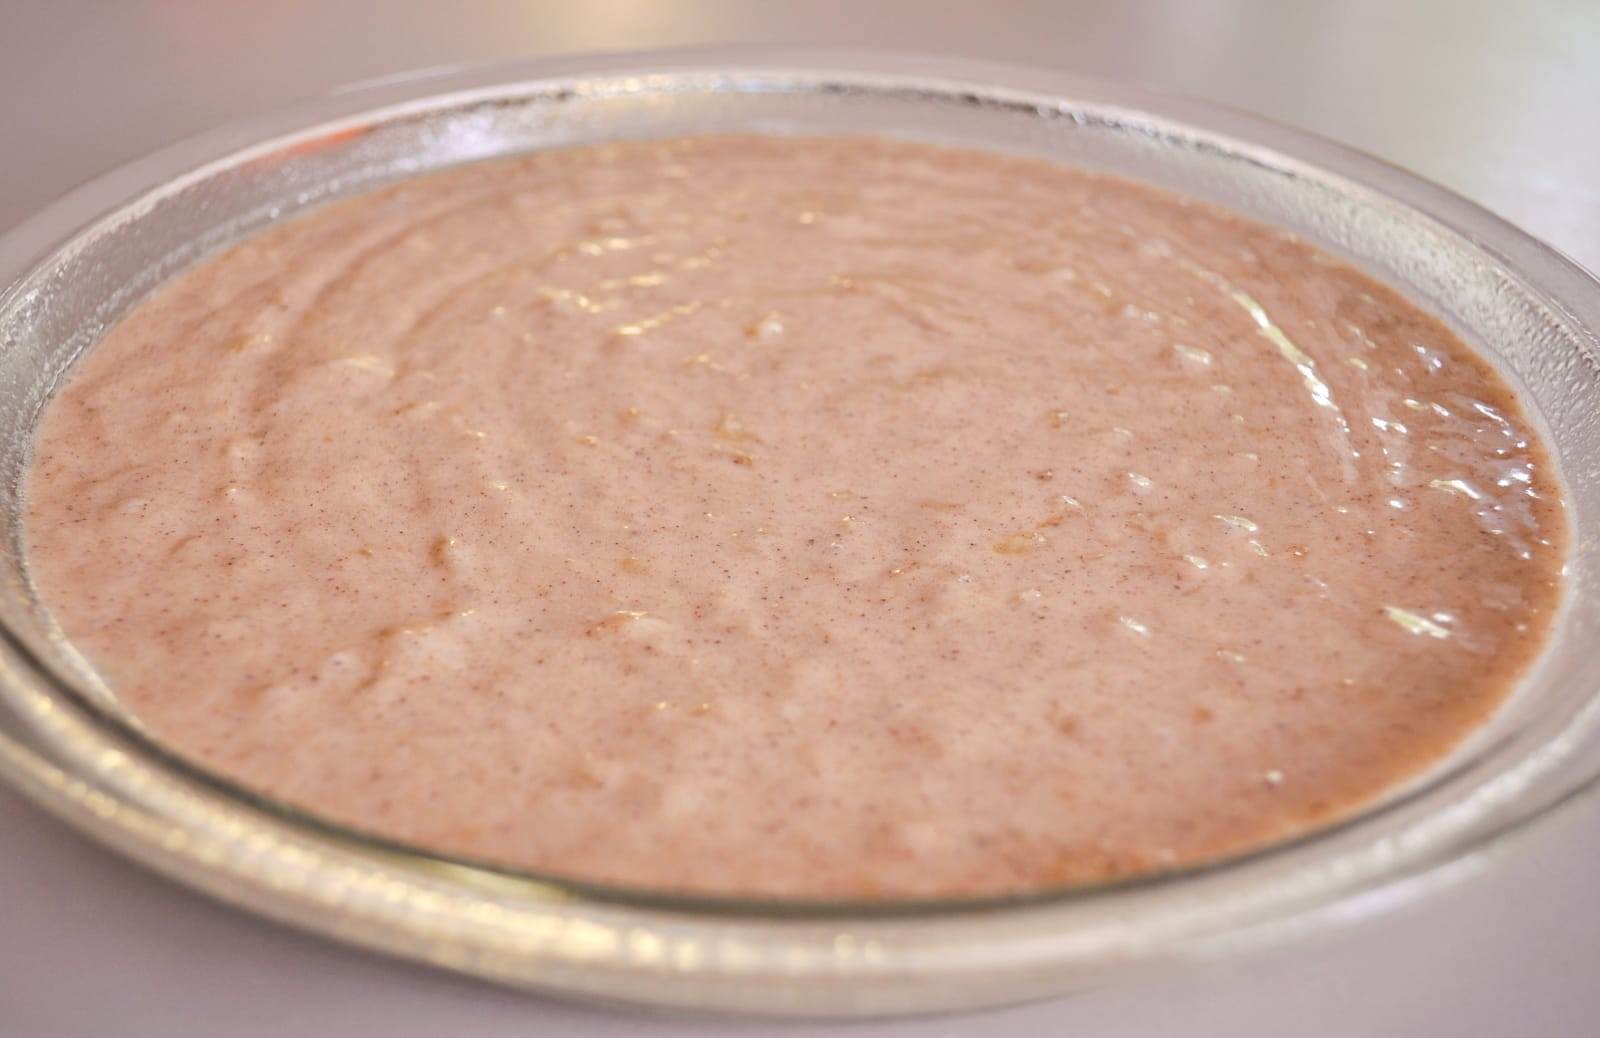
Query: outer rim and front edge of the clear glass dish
[(100, 773)]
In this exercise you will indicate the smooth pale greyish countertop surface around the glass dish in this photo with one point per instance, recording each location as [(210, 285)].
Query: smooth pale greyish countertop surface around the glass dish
[(1500, 102)]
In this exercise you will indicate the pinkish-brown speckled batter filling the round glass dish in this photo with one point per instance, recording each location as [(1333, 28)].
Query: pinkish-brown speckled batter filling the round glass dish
[(798, 517)]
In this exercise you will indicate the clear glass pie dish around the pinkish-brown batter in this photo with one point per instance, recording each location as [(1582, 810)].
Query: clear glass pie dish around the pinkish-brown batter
[(76, 268)]
